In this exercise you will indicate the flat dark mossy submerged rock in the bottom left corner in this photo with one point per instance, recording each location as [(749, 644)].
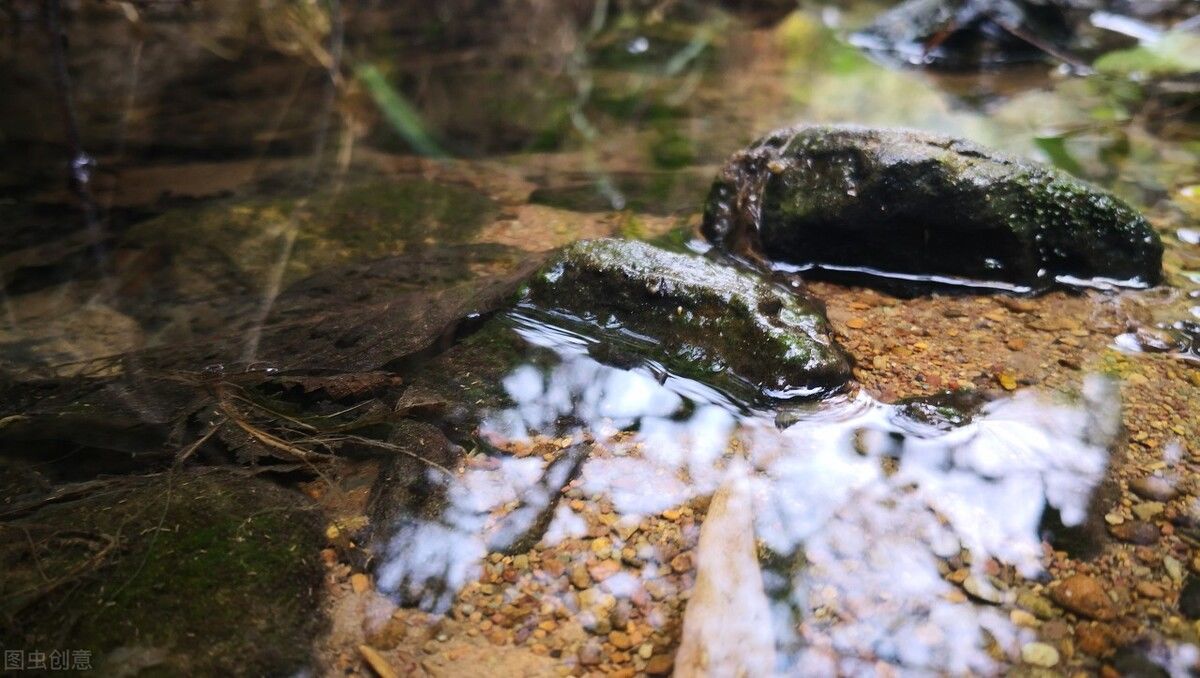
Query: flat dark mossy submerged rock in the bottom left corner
[(202, 574)]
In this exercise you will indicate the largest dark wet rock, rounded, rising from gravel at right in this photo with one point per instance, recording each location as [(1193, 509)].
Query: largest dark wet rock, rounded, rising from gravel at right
[(913, 209)]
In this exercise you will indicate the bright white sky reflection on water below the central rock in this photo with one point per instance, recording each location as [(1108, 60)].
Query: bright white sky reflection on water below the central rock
[(859, 512)]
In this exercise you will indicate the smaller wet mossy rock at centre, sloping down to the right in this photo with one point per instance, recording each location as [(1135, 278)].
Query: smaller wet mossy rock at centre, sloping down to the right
[(701, 320)]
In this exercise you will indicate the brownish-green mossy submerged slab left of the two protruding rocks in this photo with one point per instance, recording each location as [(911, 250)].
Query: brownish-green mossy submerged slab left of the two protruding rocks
[(233, 248)]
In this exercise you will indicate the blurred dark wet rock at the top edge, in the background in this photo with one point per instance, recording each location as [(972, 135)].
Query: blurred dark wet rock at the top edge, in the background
[(965, 34)]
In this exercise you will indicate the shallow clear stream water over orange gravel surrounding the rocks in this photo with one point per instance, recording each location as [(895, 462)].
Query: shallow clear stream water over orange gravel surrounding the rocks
[(250, 176)]
